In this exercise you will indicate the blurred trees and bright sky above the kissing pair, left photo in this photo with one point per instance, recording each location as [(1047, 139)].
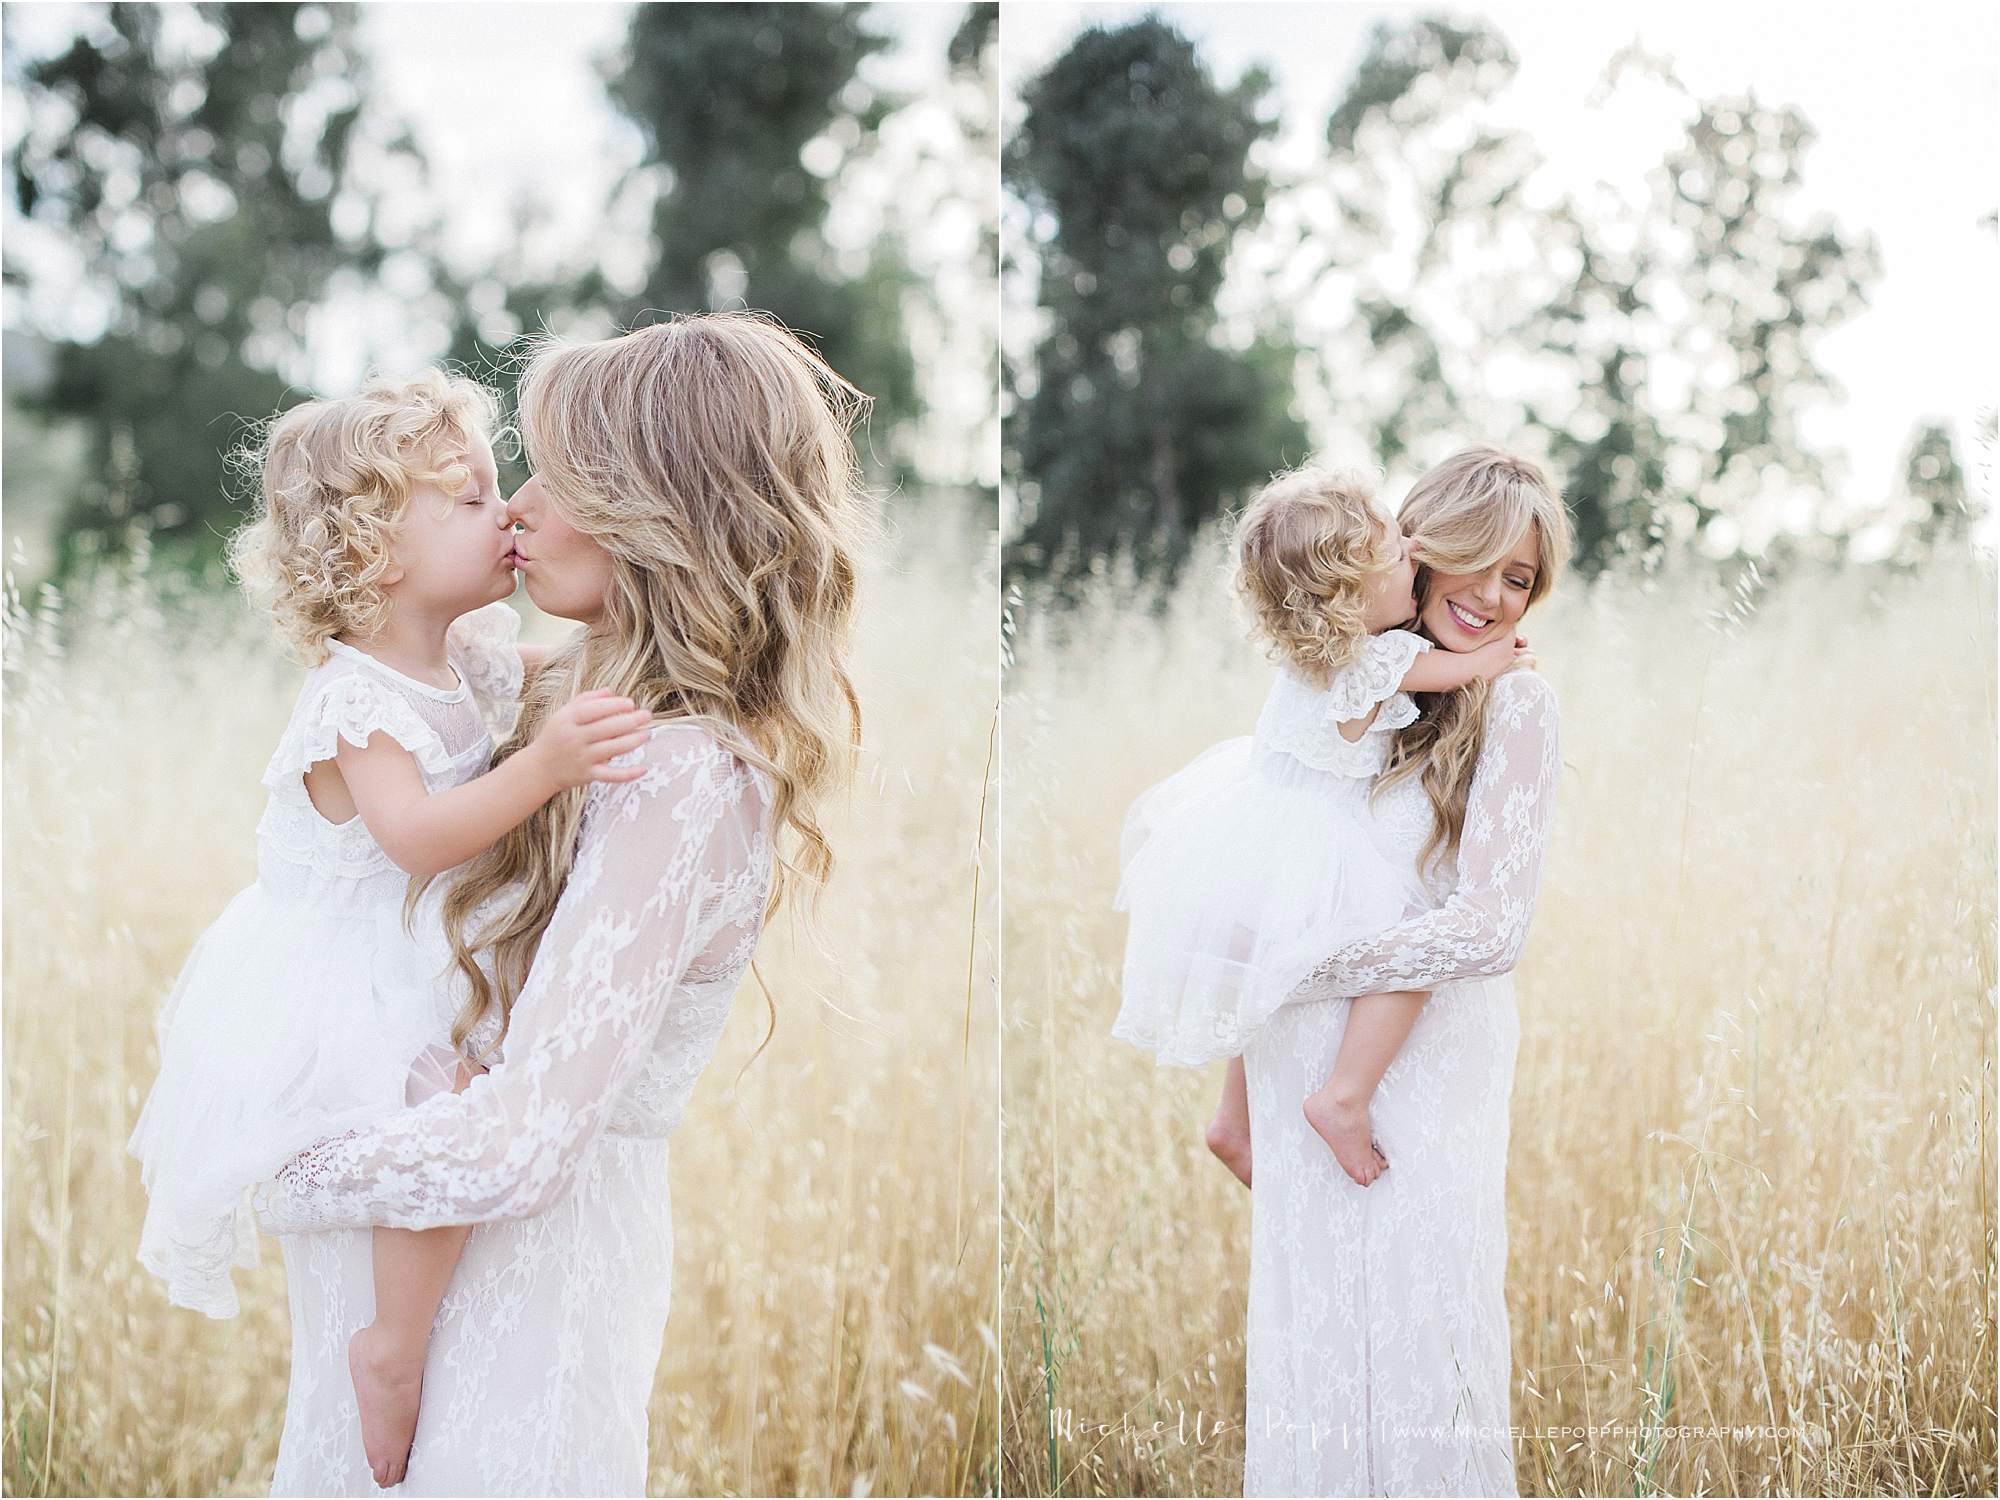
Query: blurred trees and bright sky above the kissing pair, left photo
[(215, 211)]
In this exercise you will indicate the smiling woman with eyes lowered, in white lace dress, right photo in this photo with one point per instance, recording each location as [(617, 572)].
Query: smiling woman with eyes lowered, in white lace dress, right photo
[(1377, 1337)]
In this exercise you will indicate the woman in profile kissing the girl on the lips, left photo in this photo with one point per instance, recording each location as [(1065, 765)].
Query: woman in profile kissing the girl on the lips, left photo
[(695, 509)]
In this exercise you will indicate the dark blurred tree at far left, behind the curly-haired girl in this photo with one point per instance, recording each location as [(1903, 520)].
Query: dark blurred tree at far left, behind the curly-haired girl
[(197, 159)]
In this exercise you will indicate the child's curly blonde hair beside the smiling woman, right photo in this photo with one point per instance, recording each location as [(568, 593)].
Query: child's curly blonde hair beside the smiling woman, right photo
[(1305, 551)]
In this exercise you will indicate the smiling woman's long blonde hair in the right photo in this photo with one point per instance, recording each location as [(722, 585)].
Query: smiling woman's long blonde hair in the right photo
[(1463, 517)]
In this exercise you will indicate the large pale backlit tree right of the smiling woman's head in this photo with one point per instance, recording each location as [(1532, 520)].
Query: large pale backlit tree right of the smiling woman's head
[(1685, 343)]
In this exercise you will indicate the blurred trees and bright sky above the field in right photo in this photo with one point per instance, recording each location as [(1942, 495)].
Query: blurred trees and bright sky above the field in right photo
[(1729, 273)]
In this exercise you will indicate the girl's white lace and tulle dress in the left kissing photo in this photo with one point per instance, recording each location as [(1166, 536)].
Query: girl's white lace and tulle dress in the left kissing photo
[(305, 1007)]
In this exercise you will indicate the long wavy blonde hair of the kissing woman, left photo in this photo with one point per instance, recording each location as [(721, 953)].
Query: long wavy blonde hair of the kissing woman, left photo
[(713, 461)]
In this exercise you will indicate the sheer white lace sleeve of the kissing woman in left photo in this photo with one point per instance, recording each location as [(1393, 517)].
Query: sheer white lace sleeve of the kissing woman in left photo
[(671, 875)]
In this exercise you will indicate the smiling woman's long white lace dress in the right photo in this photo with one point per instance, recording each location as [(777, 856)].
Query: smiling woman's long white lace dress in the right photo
[(1379, 1355)]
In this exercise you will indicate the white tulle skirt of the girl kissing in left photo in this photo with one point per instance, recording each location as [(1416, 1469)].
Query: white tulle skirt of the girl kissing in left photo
[(291, 1021)]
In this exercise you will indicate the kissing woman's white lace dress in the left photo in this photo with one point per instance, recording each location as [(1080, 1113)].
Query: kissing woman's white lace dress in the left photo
[(545, 1351)]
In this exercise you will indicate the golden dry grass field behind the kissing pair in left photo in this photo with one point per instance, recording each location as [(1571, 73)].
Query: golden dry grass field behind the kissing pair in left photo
[(837, 1259)]
